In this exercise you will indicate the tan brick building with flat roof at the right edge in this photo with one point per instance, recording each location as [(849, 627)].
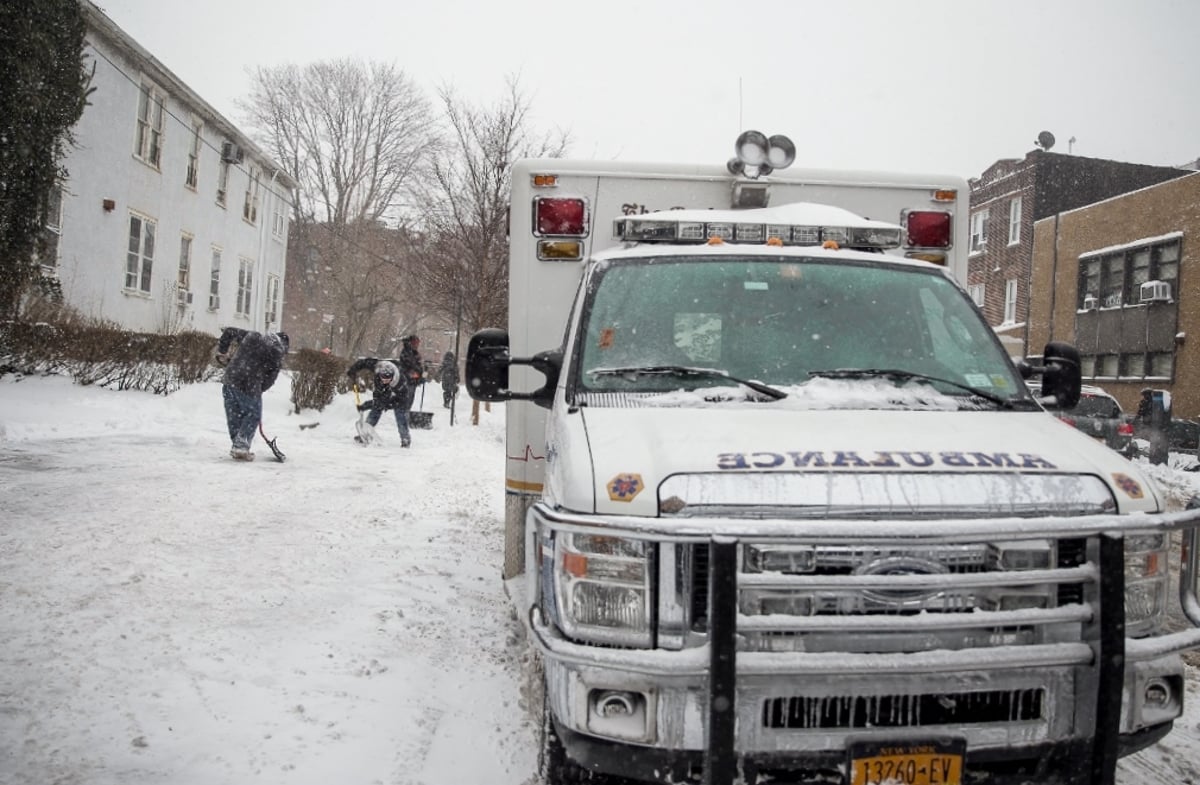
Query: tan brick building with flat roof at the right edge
[(1121, 280)]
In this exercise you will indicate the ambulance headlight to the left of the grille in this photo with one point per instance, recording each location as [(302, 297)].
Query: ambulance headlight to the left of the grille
[(602, 589)]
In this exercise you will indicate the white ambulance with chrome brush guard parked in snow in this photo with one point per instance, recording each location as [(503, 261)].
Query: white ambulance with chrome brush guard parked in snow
[(782, 508)]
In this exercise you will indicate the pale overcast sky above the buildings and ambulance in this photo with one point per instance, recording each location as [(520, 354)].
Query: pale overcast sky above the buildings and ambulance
[(920, 86)]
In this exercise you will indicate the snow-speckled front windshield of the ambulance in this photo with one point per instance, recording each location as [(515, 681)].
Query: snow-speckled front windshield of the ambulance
[(783, 322)]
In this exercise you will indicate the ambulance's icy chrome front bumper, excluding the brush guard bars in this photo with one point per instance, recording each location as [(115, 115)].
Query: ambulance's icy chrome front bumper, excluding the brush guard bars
[(675, 686)]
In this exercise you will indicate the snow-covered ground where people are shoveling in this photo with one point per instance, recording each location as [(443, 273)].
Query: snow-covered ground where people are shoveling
[(172, 618)]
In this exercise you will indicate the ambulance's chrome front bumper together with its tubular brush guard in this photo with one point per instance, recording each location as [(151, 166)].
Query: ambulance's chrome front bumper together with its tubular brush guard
[(1055, 712)]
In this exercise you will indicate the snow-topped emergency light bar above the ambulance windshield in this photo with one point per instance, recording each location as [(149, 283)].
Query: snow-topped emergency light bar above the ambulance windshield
[(800, 224)]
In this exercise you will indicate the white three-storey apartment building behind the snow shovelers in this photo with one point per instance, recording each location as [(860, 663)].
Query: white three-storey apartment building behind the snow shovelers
[(171, 218)]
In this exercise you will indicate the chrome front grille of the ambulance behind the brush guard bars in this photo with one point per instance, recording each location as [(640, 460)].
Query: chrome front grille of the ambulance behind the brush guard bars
[(897, 597)]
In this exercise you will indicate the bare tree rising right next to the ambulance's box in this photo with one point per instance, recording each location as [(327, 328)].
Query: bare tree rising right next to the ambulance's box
[(465, 208)]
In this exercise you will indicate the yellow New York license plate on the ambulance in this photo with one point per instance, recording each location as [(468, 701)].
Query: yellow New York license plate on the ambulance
[(909, 763)]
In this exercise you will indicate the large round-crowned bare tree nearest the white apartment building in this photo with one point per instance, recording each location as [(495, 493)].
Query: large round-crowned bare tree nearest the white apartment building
[(358, 139)]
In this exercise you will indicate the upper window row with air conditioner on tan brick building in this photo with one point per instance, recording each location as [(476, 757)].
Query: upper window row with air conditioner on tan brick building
[(1114, 280)]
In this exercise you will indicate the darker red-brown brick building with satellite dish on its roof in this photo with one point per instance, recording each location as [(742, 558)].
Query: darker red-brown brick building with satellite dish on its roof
[(1006, 201)]
